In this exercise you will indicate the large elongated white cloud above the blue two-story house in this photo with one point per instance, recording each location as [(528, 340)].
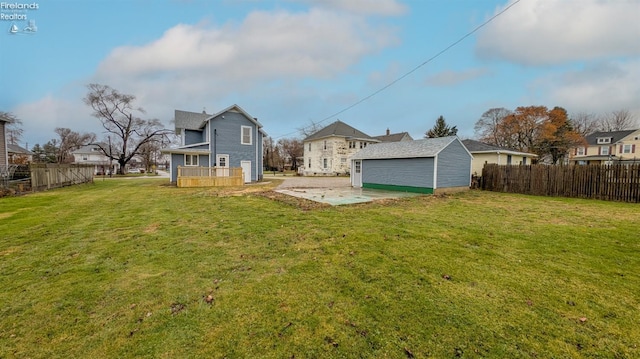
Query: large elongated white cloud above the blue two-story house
[(266, 45)]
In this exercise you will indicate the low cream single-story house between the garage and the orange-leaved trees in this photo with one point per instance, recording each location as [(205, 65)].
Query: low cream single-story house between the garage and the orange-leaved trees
[(484, 153)]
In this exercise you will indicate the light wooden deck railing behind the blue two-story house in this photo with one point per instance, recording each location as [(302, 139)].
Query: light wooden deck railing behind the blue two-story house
[(209, 176)]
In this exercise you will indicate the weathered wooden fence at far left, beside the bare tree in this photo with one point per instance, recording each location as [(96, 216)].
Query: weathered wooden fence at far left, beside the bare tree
[(49, 175)]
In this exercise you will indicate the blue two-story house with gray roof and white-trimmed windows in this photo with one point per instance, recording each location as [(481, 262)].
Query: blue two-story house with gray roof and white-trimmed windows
[(227, 139)]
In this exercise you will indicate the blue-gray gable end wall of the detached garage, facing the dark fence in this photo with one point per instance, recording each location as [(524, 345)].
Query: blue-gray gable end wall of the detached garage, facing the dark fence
[(454, 166)]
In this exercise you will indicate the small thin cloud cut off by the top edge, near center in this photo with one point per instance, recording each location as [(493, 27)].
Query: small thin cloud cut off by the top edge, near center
[(366, 7)]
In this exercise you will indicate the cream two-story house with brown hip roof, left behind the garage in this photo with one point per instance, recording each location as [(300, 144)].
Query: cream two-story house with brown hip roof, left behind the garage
[(327, 151)]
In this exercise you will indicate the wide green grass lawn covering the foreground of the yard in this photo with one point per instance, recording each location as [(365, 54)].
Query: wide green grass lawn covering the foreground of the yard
[(123, 268)]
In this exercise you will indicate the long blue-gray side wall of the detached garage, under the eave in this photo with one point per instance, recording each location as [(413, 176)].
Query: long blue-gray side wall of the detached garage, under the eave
[(414, 172)]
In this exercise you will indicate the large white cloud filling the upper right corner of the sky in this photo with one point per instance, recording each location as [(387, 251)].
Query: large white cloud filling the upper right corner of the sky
[(559, 31)]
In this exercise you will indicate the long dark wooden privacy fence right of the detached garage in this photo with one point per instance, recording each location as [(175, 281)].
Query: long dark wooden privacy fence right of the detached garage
[(618, 182)]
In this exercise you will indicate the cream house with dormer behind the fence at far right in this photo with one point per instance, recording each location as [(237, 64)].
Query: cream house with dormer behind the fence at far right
[(608, 147)]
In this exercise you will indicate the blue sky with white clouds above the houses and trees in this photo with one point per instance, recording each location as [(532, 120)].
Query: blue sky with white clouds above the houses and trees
[(373, 64)]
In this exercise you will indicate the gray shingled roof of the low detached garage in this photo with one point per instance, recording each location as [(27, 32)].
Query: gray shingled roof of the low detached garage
[(427, 147)]
